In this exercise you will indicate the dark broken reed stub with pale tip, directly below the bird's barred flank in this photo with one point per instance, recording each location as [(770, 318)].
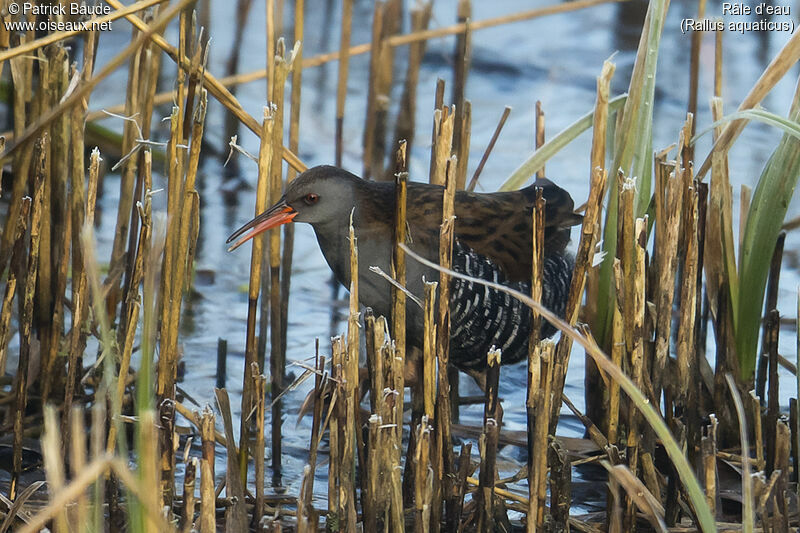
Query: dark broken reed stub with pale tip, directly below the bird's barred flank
[(488, 445)]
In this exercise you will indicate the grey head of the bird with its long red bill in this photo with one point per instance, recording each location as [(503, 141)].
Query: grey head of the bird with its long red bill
[(320, 195)]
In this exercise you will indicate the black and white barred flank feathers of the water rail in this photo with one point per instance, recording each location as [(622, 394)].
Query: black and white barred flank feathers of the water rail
[(482, 317)]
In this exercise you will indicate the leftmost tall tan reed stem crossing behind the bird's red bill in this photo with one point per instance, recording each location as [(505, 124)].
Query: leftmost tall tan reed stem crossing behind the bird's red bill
[(265, 157)]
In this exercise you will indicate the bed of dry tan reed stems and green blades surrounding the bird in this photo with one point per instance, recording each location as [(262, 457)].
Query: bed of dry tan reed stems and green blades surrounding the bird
[(663, 425)]
